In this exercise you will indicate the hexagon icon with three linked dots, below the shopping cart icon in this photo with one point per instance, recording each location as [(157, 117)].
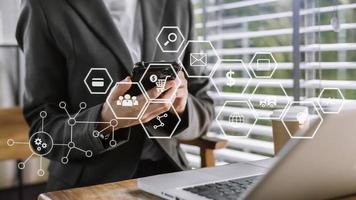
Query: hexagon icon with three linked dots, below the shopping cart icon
[(164, 125)]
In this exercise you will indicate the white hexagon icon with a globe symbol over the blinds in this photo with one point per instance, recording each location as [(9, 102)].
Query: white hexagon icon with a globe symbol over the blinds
[(236, 119)]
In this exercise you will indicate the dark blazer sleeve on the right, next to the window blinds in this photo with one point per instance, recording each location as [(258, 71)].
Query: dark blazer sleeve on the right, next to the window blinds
[(200, 107)]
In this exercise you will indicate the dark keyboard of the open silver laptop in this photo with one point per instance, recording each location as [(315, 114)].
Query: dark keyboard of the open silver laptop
[(226, 190)]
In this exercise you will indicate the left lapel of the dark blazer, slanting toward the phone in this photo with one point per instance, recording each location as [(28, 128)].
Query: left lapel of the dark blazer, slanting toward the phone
[(96, 16)]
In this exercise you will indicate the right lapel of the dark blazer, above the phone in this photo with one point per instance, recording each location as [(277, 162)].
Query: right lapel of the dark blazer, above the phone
[(152, 15)]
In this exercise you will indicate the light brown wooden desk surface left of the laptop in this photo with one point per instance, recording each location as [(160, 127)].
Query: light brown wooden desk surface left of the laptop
[(119, 190)]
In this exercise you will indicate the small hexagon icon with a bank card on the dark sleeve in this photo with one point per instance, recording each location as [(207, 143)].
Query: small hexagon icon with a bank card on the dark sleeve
[(98, 81)]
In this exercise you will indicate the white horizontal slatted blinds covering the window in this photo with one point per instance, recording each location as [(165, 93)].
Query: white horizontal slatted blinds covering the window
[(240, 28)]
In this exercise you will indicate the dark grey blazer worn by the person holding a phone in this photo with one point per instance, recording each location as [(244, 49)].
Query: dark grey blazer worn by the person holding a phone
[(62, 40)]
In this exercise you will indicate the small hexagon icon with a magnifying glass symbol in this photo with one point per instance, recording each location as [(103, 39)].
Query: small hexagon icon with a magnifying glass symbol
[(170, 39)]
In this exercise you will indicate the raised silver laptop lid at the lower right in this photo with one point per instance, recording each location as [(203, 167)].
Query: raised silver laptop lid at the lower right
[(320, 168)]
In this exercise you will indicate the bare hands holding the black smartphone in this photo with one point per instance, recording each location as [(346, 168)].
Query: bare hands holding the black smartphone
[(151, 112)]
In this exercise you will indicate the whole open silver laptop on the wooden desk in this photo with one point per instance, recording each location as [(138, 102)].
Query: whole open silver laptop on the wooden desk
[(320, 168)]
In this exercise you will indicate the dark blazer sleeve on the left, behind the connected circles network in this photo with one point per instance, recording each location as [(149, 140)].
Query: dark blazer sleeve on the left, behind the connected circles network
[(46, 85)]
